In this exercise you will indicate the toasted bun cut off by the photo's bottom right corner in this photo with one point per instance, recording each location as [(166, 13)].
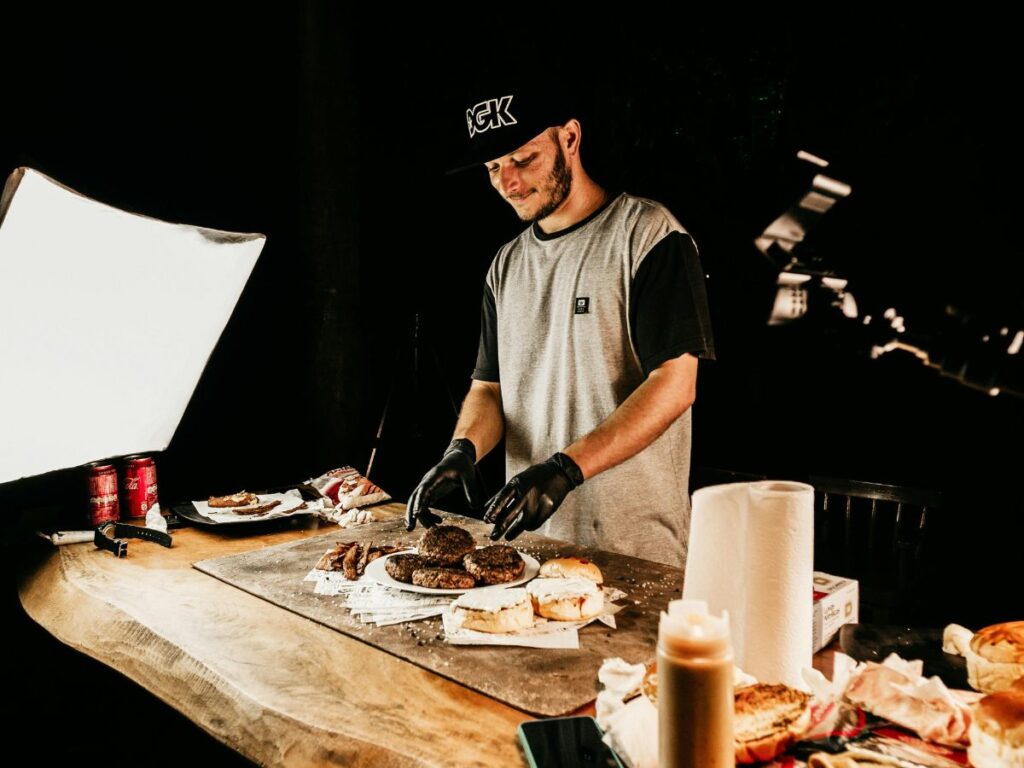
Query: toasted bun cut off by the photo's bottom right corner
[(998, 730)]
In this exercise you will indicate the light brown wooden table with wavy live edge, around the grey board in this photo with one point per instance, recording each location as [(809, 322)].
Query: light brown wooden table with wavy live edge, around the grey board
[(279, 689)]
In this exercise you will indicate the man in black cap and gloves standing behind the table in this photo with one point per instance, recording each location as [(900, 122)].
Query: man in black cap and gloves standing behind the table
[(592, 323)]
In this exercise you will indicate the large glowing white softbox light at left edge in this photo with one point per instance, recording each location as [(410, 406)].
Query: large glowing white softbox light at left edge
[(107, 322)]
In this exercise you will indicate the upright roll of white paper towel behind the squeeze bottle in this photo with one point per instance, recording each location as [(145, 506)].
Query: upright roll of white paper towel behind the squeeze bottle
[(752, 553)]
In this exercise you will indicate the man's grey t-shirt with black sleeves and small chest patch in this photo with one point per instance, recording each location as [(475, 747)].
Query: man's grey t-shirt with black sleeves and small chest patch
[(572, 324)]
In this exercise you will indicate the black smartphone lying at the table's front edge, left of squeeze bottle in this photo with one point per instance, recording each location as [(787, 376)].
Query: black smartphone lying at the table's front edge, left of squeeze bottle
[(567, 743)]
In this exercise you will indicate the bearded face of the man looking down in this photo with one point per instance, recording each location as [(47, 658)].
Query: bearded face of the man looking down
[(535, 180)]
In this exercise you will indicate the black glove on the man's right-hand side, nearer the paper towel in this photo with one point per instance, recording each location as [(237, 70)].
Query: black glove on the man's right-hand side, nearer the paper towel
[(532, 497)]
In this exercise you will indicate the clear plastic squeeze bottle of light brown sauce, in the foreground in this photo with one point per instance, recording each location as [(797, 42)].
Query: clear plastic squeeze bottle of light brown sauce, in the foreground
[(695, 689)]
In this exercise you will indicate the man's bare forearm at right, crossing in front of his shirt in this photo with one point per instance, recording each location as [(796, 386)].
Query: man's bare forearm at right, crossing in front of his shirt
[(666, 396)]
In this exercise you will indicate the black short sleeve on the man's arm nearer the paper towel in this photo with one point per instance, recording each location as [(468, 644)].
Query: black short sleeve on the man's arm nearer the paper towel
[(669, 306)]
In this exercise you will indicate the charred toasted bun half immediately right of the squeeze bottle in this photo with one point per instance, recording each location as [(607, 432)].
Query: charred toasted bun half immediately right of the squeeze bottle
[(769, 720)]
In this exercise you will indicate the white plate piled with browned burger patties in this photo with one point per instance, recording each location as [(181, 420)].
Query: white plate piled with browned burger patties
[(447, 562)]
